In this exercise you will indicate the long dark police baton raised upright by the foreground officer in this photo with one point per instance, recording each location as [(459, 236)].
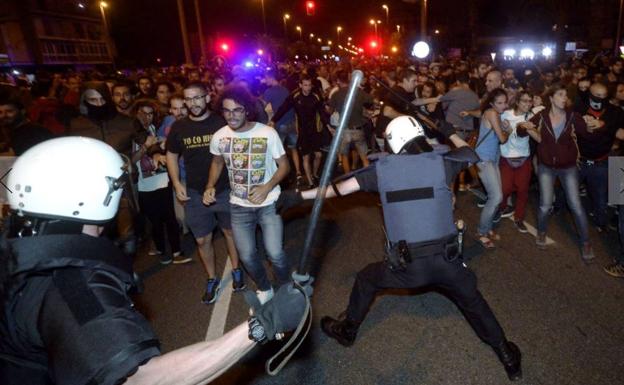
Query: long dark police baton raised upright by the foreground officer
[(356, 78)]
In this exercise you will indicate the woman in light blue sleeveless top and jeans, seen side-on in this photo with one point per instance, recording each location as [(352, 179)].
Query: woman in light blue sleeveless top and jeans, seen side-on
[(491, 135)]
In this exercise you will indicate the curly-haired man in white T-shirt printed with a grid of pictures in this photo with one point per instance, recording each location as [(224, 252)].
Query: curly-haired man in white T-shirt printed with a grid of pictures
[(256, 164)]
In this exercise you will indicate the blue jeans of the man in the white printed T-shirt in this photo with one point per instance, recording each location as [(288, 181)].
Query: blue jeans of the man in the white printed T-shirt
[(244, 223)]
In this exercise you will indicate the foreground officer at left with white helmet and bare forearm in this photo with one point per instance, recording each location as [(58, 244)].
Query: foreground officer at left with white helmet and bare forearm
[(66, 315)]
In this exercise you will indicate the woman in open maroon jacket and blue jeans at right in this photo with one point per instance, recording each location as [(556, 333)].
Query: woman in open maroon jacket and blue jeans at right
[(557, 154)]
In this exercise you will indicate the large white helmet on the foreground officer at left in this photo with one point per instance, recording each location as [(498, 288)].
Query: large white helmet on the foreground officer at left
[(73, 178)]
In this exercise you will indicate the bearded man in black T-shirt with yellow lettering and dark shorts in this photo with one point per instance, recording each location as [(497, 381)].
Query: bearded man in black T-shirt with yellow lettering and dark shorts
[(190, 137)]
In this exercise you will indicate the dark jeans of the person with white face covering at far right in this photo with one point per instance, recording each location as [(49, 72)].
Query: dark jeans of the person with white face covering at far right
[(597, 177)]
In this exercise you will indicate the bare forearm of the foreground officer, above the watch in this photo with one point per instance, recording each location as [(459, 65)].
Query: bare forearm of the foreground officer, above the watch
[(195, 364)]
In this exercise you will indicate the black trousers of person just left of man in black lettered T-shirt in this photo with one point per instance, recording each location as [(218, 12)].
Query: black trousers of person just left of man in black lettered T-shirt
[(158, 208)]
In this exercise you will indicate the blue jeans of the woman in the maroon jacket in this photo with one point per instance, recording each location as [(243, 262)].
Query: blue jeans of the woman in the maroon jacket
[(569, 179)]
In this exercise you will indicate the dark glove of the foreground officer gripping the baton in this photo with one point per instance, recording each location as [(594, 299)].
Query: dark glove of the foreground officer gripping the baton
[(281, 314)]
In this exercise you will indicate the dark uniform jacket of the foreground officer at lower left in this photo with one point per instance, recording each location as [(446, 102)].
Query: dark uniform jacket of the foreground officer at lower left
[(67, 318)]
